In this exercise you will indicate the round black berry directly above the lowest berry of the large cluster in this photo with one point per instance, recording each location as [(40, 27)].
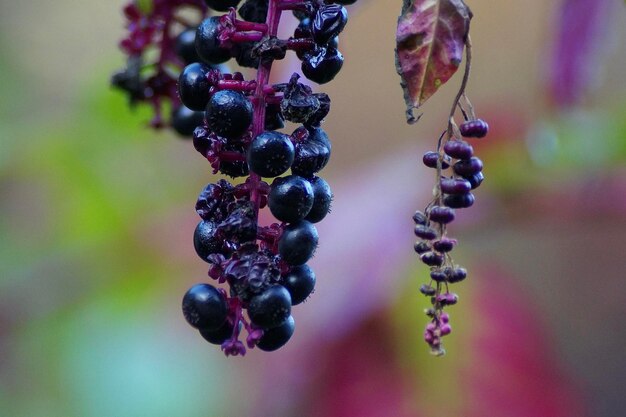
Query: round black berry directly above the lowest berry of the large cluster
[(270, 308)]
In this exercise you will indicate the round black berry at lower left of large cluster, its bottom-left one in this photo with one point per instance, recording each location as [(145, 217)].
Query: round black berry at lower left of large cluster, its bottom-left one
[(204, 307)]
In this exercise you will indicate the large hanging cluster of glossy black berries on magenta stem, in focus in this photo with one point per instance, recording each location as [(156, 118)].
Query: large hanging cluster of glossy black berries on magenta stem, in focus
[(264, 267)]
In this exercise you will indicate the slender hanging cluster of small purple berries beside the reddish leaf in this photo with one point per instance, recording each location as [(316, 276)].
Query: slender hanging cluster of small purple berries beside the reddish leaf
[(458, 173)]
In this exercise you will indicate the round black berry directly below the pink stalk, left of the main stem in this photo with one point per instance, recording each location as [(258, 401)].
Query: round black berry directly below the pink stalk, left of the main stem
[(229, 114)]
